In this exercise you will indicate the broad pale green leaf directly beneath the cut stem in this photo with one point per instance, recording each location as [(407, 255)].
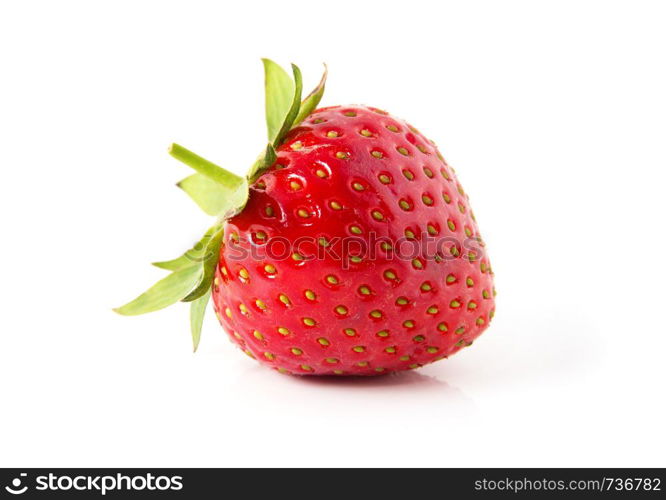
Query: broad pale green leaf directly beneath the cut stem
[(213, 198)]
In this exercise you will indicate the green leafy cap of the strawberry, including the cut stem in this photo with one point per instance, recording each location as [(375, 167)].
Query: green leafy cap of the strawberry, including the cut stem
[(222, 194)]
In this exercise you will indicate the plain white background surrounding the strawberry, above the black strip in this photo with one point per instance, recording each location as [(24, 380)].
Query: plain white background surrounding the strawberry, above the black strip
[(553, 114)]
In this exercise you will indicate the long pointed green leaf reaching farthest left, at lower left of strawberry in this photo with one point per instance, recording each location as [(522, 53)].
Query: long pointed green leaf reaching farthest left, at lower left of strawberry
[(164, 293)]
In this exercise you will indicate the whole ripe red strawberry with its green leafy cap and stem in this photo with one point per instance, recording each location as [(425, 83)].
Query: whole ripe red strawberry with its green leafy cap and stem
[(349, 249)]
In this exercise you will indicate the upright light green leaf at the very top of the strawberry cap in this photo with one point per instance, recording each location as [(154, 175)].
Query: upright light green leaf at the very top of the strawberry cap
[(279, 91)]
